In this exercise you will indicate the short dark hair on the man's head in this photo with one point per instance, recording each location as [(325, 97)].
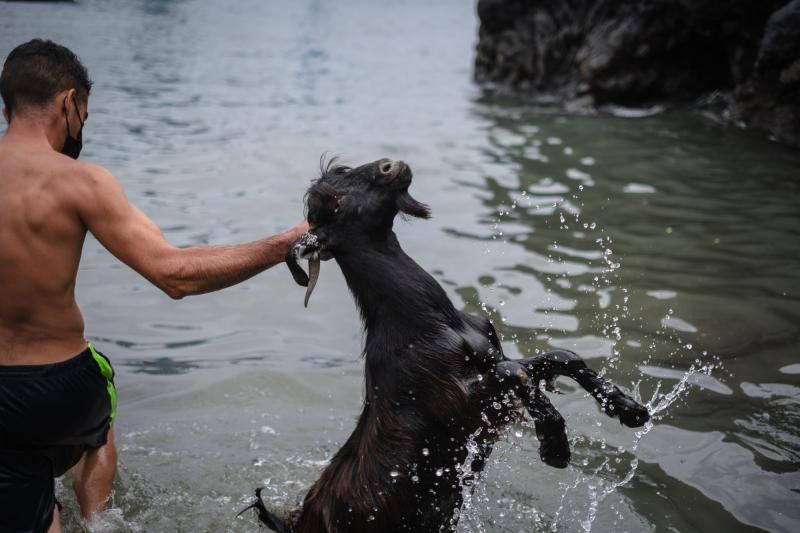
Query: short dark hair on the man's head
[(34, 72)]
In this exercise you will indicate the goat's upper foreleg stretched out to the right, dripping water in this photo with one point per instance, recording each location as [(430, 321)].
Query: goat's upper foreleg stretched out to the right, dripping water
[(613, 401)]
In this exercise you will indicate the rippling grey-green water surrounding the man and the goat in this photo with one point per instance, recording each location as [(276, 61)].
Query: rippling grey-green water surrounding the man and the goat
[(664, 249)]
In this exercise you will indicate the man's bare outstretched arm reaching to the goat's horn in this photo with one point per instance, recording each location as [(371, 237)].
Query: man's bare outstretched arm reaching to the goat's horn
[(134, 239)]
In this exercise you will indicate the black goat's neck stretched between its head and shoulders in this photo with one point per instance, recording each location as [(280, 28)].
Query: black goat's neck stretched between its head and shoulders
[(396, 296)]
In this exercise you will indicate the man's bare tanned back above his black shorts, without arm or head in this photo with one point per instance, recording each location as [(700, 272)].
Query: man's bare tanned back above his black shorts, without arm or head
[(41, 237)]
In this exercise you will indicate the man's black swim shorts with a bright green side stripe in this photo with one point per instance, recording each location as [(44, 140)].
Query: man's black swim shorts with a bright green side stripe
[(49, 416)]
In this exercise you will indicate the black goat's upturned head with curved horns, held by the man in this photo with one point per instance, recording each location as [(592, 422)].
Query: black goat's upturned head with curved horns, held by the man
[(351, 207)]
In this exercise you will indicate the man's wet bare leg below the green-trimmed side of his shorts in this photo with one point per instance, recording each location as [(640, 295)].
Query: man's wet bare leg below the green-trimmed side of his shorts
[(93, 477)]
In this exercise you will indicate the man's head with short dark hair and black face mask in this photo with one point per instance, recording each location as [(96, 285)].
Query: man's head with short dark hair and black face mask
[(44, 79)]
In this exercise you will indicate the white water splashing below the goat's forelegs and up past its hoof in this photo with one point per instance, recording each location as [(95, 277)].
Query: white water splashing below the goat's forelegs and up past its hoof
[(487, 504)]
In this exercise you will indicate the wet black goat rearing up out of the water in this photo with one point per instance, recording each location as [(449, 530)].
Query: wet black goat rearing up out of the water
[(438, 387)]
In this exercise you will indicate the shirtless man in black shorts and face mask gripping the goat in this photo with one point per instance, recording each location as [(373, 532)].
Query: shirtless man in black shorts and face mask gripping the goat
[(56, 407)]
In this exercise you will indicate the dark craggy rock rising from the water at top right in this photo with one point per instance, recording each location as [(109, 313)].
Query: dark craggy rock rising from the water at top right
[(637, 53)]
